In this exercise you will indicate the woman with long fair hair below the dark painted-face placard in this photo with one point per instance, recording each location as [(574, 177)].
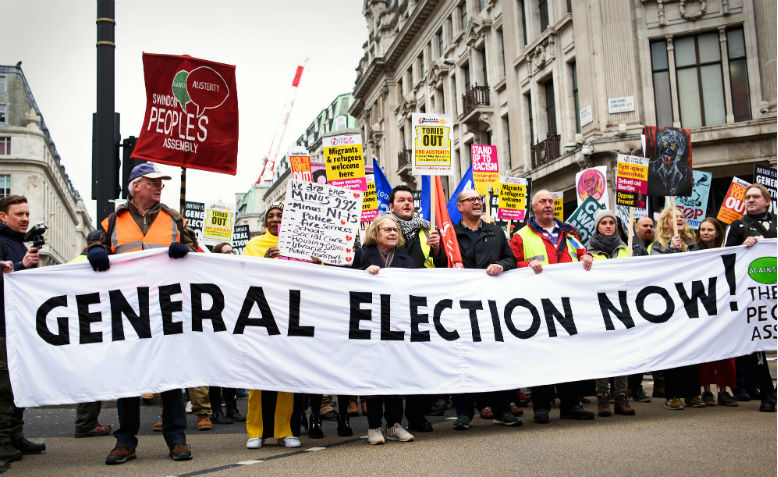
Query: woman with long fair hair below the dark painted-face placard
[(673, 235)]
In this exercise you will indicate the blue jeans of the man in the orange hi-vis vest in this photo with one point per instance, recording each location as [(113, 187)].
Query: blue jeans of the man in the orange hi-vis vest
[(173, 419)]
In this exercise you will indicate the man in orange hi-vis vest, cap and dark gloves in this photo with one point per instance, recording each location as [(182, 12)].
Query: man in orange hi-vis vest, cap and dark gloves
[(140, 224)]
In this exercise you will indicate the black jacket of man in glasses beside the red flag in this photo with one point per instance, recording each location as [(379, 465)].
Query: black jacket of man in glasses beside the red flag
[(492, 247)]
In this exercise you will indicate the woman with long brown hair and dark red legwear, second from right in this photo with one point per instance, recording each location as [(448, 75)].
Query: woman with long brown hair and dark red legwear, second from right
[(710, 234)]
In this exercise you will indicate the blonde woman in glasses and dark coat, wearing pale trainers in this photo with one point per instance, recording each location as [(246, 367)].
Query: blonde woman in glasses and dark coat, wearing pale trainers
[(381, 250)]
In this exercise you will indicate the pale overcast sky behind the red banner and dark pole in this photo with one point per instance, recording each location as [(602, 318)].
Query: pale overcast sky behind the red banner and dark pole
[(265, 40)]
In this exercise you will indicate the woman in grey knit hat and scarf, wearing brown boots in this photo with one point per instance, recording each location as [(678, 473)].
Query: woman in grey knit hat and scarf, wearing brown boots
[(606, 244)]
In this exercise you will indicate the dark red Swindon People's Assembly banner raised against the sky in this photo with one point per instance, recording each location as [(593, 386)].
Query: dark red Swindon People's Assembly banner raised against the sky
[(191, 114)]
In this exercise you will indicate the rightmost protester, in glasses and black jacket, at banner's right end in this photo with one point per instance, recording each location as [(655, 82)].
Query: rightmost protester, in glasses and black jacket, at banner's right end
[(756, 224)]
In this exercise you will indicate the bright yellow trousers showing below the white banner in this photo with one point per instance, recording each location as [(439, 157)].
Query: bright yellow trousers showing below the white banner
[(269, 414)]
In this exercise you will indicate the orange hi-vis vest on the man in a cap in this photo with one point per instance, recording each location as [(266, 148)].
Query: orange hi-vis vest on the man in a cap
[(127, 236)]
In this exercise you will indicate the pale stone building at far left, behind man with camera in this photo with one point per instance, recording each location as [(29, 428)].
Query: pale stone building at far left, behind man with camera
[(31, 166)]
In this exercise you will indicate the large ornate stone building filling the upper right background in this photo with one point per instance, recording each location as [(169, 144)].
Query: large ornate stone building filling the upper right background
[(562, 85)]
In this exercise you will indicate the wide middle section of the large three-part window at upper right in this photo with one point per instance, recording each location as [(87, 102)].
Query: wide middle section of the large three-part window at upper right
[(700, 82)]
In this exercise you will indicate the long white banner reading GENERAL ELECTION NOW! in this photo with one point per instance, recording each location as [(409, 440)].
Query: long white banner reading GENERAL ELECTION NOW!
[(152, 323)]
